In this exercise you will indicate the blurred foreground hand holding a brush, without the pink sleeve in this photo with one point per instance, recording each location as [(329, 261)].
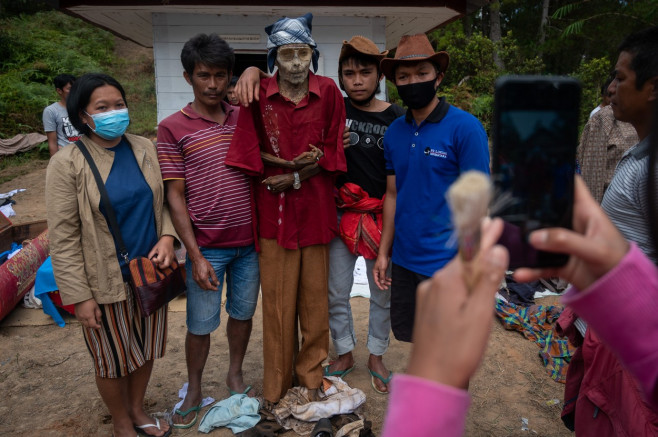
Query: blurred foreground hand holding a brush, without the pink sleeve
[(452, 324)]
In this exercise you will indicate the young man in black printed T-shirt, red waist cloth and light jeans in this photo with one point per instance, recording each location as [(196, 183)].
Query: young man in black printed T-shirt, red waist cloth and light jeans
[(367, 119)]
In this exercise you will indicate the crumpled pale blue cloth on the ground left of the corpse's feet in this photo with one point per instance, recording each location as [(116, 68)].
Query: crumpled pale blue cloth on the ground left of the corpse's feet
[(238, 413)]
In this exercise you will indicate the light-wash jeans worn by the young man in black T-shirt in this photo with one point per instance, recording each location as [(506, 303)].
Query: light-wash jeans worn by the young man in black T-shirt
[(341, 324)]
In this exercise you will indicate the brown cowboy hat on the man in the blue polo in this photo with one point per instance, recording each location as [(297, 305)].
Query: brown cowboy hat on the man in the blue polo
[(413, 49)]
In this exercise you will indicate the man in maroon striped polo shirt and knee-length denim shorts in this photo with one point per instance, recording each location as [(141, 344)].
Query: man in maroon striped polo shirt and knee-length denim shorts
[(211, 209)]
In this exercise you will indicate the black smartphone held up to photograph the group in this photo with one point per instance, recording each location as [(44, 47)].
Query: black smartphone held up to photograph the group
[(535, 135)]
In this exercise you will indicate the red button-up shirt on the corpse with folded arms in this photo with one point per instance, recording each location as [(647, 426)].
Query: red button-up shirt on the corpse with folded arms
[(307, 216)]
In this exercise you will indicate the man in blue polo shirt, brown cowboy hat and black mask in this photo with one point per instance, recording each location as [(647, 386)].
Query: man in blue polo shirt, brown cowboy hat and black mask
[(425, 151)]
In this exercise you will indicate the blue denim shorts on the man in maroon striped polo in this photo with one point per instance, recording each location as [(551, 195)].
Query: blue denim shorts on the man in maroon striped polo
[(240, 264)]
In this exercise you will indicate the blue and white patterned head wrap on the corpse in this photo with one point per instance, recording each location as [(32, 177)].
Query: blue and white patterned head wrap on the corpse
[(290, 31)]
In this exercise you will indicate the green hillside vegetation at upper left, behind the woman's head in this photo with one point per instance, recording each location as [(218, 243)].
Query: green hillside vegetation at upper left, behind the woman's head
[(33, 50)]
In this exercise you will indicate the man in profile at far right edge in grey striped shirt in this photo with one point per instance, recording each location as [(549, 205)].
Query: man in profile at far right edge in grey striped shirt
[(633, 96)]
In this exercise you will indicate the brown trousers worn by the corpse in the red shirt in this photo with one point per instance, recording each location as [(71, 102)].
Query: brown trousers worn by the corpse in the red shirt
[(294, 283)]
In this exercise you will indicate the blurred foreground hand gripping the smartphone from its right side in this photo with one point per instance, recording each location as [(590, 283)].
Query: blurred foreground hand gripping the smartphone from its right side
[(595, 244)]
